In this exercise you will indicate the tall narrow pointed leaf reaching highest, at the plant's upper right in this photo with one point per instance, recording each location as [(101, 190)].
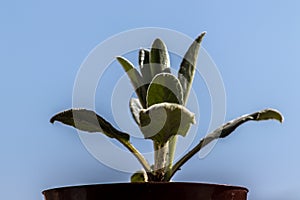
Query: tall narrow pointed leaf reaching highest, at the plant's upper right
[(187, 69)]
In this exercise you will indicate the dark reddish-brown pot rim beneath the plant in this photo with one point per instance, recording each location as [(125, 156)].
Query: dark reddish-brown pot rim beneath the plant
[(148, 191)]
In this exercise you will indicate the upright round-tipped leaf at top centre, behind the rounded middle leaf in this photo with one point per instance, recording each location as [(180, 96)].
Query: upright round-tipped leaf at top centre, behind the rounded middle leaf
[(159, 58)]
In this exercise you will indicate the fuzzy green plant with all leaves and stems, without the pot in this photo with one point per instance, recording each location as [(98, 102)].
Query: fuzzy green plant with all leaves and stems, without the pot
[(159, 111)]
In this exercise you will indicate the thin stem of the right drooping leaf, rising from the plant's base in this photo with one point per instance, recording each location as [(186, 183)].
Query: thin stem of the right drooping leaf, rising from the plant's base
[(190, 154)]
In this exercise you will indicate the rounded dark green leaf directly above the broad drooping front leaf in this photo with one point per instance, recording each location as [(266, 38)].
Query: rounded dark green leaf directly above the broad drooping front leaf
[(164, 87)]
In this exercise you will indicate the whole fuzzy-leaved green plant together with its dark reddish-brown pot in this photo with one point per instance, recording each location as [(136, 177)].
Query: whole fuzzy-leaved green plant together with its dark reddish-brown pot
[(160, 112)]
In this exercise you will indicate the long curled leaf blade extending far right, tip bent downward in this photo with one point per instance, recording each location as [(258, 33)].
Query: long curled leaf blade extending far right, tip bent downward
[(230, 126)]
